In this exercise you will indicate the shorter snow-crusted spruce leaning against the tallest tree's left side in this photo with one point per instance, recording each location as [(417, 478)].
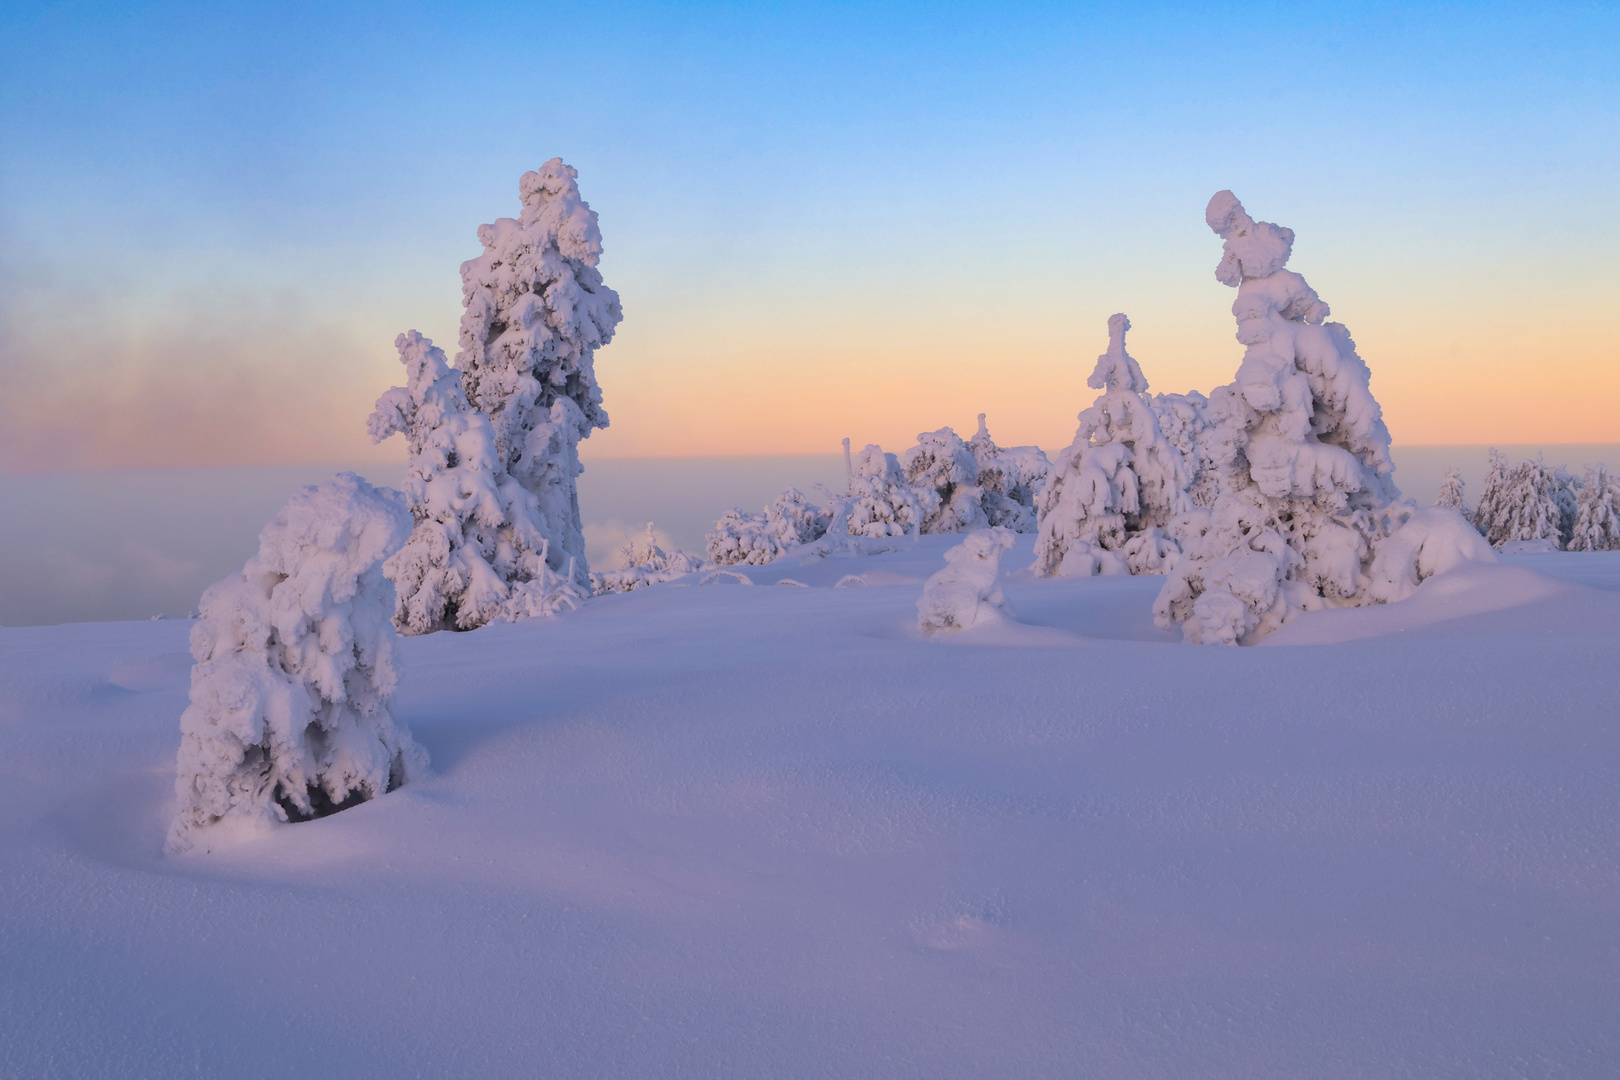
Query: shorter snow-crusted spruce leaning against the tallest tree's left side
[(479, 551)]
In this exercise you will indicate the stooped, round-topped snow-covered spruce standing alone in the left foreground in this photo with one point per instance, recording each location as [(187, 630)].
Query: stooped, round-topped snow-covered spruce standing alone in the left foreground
[(294, 671)]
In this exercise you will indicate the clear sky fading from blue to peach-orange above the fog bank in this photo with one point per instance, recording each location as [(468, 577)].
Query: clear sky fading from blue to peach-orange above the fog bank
[(824, 221)]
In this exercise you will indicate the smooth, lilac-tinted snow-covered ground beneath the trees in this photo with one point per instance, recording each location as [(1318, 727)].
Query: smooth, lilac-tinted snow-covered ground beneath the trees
[(772, 831)]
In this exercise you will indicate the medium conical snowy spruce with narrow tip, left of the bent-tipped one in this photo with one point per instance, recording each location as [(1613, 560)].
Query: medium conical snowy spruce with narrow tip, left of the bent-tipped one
[(1115, 490)]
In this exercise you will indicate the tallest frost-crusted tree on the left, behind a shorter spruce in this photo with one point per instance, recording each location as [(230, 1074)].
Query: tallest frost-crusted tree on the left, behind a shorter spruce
[(535, 315)]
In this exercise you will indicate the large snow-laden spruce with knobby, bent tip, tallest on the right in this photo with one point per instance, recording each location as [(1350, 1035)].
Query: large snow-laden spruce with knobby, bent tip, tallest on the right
[(1311, 495)]
